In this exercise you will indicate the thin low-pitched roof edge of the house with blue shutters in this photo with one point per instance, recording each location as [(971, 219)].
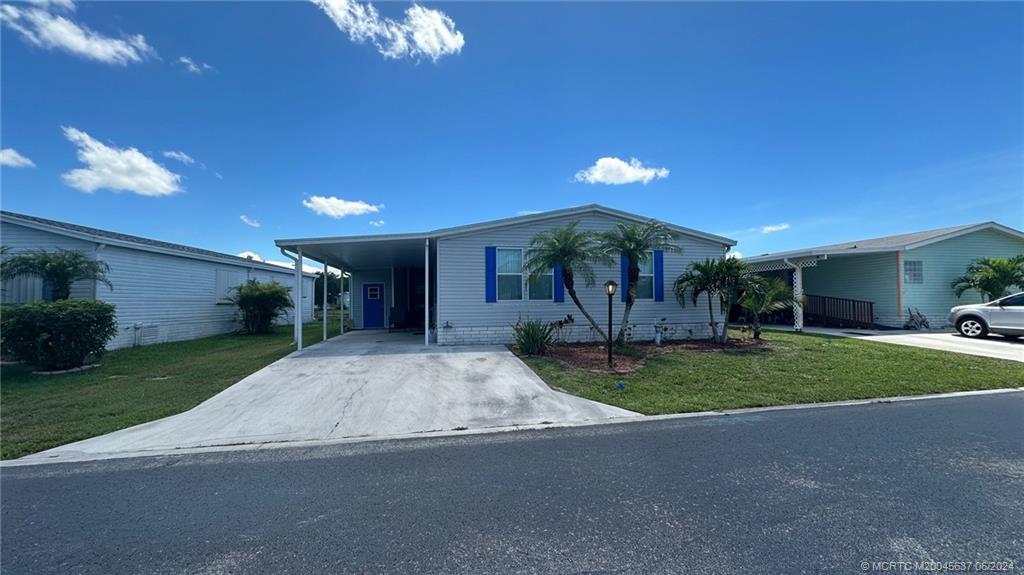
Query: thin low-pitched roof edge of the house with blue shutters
[(507, 223)]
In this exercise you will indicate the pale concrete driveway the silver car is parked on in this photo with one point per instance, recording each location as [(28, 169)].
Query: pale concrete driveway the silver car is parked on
[(994, 346)]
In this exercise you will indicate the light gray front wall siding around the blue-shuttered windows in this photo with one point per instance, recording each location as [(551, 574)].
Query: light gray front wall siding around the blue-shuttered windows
[(462, 308)]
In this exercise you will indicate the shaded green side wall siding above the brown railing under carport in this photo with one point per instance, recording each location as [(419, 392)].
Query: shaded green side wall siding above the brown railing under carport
[(871, 278)]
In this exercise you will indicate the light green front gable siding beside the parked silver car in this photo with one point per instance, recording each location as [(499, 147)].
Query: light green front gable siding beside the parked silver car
[(945, 261)]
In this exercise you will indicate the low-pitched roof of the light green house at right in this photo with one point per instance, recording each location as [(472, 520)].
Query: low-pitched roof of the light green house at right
[(898, 243)]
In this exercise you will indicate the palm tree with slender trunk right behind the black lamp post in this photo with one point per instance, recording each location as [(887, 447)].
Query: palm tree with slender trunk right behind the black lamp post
[(635, 242)]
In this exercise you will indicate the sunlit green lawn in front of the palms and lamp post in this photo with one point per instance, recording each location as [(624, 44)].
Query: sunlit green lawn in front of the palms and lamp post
[(795, 369)]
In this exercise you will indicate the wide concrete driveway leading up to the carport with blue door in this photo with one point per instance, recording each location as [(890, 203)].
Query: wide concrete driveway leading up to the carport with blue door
[(363, 384)]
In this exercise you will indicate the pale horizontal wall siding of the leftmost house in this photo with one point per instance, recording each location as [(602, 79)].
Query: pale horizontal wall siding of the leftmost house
[(159, 298)]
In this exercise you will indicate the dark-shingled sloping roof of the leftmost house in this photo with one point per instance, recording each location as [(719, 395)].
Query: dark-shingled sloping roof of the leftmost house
[(135, 242)]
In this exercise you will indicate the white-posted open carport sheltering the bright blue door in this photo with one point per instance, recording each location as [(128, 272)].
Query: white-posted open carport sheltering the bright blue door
[(390, 278)]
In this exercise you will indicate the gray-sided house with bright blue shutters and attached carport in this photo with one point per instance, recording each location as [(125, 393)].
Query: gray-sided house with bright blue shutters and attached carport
[(466, 285)]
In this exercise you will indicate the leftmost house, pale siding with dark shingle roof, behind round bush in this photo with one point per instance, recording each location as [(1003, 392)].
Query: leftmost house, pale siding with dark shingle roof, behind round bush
[(163, 292)]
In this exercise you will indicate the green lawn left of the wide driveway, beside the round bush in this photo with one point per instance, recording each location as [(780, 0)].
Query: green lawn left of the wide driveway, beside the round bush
[(133, 386)]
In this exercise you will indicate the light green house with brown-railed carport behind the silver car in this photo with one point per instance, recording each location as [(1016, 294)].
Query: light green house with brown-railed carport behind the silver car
[(877, 282)]
